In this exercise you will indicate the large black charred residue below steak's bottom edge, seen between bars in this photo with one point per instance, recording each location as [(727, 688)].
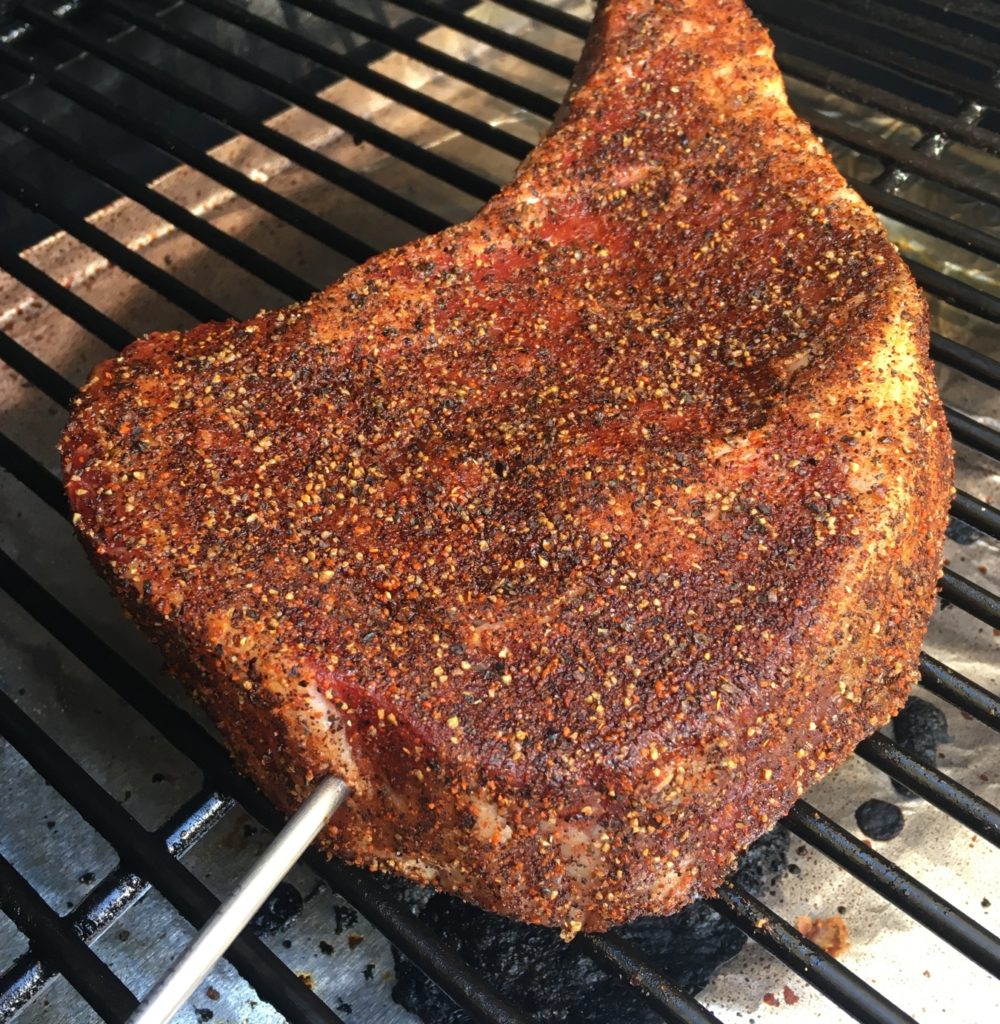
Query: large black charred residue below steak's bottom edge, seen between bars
[(559, 986)]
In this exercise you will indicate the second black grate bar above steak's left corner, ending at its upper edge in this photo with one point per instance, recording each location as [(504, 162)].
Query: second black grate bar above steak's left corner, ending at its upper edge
[(138, 267)]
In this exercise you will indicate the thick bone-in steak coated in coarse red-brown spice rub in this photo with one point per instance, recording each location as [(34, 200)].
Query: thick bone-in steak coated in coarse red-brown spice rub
[(581, 538)]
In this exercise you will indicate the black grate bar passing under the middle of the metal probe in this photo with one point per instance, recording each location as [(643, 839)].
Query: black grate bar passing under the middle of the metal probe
[(149, 857)]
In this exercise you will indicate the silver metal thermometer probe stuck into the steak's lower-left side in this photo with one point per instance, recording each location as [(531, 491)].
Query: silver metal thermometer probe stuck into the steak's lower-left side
[(170, 994)]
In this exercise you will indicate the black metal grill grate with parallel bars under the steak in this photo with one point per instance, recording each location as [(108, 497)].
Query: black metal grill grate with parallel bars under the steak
[(933, 66)]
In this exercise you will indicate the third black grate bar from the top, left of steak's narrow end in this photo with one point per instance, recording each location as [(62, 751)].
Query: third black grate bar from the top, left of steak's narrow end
[(492, 84)]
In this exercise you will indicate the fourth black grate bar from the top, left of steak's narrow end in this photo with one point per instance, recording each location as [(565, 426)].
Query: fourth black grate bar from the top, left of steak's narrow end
[(445, 114)]
